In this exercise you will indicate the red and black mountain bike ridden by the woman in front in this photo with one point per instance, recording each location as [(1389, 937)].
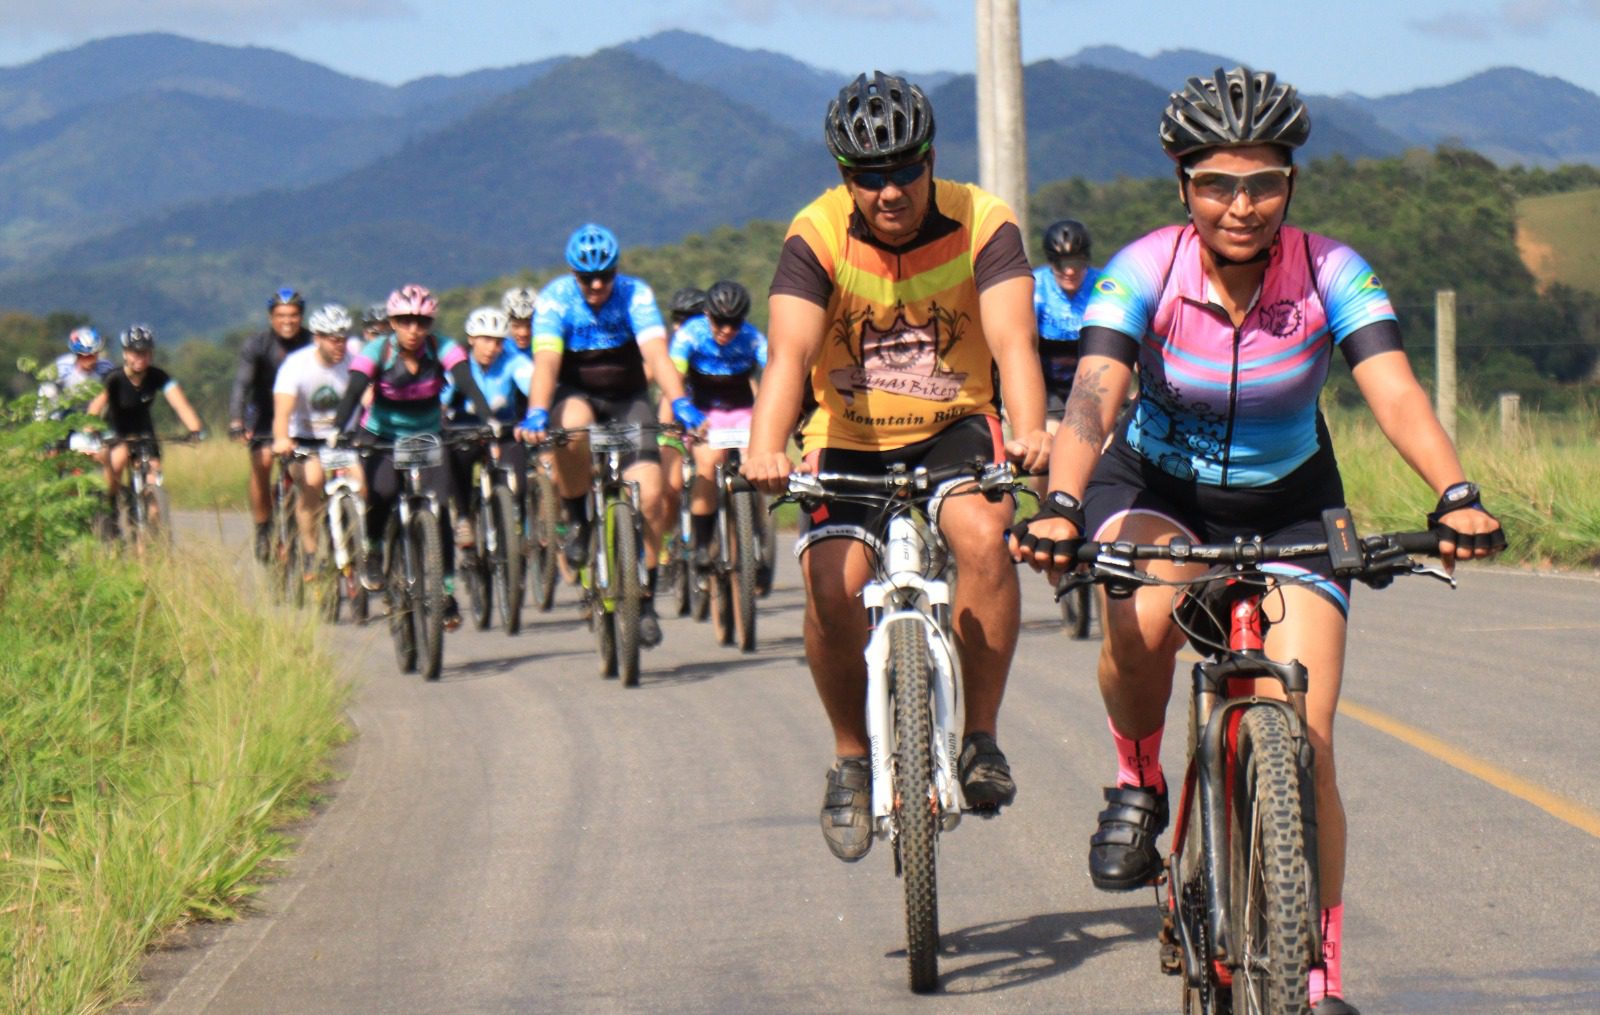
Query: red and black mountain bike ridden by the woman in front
[(1239, 917)]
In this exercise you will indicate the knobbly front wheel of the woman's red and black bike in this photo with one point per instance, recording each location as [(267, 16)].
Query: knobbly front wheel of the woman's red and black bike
[(1271, 907)]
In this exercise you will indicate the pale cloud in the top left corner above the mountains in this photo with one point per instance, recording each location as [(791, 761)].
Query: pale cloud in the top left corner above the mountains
[(226, 18)]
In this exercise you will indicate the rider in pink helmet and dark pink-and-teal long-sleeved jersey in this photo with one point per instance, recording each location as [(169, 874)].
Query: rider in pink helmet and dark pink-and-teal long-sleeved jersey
[(407, 371)]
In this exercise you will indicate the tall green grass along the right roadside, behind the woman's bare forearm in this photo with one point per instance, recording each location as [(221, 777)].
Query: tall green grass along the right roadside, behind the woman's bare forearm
[(1543, 481)]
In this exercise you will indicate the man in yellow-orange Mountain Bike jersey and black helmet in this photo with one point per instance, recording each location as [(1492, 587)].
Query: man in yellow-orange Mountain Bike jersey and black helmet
[(895, 302)]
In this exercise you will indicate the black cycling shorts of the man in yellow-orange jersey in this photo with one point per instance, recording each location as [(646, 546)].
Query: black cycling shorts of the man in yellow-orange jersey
[(964, 441)]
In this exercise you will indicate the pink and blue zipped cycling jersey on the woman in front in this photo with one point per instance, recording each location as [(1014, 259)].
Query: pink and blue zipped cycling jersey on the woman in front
[(1236, 406)]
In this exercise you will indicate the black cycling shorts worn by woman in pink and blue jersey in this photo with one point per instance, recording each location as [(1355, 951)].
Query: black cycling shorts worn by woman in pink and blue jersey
[(1286, 512)]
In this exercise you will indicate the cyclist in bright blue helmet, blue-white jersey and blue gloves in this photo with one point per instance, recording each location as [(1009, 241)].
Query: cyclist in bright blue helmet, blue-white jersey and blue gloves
[(594, 337)]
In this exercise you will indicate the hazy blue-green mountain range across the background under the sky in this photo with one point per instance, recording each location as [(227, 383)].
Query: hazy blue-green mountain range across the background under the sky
[(167, 180)]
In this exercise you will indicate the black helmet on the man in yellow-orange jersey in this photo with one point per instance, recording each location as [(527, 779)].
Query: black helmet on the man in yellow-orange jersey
[(879, 122)]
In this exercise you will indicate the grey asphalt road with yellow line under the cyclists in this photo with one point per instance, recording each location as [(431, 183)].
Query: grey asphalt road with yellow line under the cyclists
[(526, 836)]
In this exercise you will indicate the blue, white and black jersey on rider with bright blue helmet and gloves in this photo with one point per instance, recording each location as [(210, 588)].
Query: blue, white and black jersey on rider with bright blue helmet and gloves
[(599, 347)]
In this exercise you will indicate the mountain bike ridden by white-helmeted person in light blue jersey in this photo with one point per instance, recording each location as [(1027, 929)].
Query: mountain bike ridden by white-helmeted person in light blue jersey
[(492, 569)]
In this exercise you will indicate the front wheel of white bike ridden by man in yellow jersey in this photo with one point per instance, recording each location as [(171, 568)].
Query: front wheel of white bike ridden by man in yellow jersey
[(916, 803)]
